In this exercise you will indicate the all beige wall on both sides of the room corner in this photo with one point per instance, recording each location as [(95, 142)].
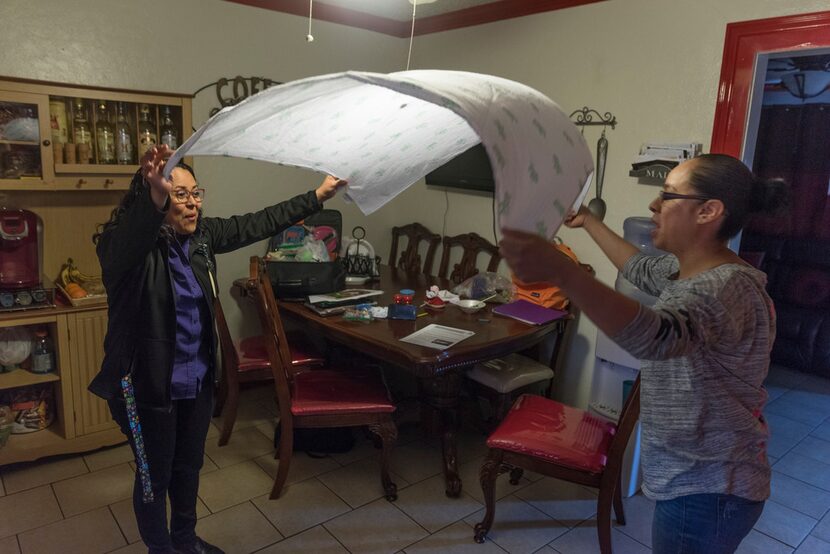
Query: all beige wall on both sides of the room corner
[(654, 63)]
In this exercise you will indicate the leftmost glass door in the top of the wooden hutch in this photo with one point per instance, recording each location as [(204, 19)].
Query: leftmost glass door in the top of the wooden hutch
[(25, 139)]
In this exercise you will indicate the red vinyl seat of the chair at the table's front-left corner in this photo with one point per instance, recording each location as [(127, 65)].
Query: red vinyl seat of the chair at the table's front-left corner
[(329, 391)]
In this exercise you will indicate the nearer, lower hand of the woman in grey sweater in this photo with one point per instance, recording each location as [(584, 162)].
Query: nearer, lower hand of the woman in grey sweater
[(533, 259)]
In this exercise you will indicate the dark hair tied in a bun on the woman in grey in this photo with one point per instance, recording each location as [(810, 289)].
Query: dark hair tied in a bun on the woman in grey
[(727, 179)]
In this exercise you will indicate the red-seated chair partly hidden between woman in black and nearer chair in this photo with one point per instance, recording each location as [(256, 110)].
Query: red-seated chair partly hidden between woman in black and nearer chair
[(247, 361)]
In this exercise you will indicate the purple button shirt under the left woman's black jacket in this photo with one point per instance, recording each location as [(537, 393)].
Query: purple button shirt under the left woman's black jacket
[(190, 363)]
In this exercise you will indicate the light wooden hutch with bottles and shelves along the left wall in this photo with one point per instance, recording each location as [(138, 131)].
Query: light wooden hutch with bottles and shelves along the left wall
[(72, 199)]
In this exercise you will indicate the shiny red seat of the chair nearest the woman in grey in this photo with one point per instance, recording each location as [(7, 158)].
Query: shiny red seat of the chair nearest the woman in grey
[(546, 429)]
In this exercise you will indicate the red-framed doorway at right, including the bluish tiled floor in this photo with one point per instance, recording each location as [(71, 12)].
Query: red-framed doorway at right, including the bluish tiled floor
[(773, 112)]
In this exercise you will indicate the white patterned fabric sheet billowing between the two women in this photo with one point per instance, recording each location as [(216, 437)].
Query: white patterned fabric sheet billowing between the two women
[(384, 133)]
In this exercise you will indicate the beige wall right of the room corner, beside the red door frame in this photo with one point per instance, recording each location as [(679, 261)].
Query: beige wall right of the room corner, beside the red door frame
[(655, 64)]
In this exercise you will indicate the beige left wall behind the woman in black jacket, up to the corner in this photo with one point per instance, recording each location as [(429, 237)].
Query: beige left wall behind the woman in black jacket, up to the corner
[(180, 46)]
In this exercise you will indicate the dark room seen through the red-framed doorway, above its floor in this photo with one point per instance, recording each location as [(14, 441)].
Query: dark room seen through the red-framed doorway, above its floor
[(788, 133)]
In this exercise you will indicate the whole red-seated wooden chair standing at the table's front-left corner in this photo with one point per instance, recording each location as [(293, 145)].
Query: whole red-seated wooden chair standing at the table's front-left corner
[(326, 397)]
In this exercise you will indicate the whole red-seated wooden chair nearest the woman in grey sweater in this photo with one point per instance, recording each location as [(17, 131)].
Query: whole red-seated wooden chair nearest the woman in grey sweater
[(566, 443)]
